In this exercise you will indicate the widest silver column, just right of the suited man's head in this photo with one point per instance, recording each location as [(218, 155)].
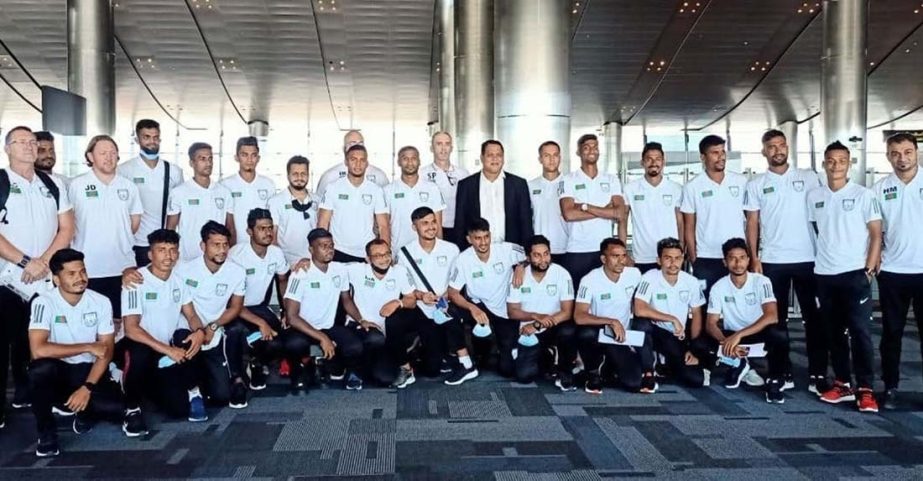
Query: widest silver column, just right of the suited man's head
[(532, 73)]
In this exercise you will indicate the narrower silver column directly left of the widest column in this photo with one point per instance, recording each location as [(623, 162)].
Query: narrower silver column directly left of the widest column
[(474, 71)]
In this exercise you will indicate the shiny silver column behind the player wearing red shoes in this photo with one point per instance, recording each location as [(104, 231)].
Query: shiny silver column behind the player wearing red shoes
[(844, 94)]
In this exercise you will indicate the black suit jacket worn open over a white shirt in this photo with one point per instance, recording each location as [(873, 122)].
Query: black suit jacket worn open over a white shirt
[(517, 207)]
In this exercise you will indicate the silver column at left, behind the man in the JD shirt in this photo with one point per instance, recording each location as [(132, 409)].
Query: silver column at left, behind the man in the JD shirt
[(91, 61)]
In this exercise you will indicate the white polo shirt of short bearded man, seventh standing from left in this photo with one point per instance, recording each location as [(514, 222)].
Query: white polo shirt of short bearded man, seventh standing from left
[(293, 227)]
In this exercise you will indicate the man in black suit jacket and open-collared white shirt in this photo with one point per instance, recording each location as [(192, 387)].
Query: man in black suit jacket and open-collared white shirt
[(500, 197)]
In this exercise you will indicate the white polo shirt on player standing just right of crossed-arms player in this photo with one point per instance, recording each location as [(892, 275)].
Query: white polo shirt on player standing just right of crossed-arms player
[(653, 215)]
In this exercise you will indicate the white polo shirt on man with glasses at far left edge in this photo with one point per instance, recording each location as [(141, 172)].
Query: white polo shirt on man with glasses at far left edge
[(31, 214)]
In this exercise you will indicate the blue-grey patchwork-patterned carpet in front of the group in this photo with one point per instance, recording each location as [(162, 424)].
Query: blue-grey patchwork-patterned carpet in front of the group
[(491, 429)]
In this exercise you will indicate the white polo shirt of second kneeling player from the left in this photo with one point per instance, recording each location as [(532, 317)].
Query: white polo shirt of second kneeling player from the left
[(159, 303)]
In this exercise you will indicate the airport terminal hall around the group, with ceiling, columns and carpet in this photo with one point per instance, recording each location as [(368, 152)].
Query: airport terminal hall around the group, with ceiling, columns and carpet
[(299, 74)]
